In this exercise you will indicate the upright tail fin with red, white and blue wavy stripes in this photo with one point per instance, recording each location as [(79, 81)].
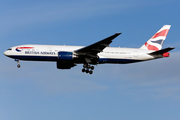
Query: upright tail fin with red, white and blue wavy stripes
[(155, 42)]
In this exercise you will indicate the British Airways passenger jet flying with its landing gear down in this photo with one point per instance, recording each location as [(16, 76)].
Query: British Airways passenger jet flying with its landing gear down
[(100, 52)]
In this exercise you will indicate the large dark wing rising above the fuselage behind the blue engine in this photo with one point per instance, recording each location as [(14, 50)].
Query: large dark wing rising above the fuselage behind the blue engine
[(94, 49)]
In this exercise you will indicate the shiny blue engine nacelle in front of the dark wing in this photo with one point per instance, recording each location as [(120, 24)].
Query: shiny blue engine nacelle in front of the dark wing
[(65, 56)]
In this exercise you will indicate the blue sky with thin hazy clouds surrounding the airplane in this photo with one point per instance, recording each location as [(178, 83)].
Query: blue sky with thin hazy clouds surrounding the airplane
[(147, 90)]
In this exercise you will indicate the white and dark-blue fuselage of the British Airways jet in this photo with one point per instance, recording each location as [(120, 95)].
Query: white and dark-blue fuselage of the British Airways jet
[(50, 53)]
